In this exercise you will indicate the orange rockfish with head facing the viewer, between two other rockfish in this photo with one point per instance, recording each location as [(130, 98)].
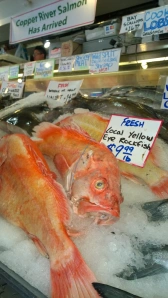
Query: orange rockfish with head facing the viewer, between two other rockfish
[(90, 172)]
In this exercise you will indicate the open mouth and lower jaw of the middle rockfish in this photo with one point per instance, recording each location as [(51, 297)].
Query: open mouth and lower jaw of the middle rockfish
[(102, 215)]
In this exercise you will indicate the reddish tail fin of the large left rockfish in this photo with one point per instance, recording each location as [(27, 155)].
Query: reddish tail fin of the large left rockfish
[(71, 278)]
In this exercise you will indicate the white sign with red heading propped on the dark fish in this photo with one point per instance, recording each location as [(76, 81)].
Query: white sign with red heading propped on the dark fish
[(63, 91)]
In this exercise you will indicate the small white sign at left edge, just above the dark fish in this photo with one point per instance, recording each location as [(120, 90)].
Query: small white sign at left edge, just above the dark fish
[(15, 89)]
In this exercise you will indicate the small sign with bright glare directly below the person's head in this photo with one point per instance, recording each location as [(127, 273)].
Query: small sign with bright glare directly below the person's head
[(44, 69)]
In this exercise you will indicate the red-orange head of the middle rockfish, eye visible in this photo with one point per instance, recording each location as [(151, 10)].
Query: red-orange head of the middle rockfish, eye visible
[(96, 186)]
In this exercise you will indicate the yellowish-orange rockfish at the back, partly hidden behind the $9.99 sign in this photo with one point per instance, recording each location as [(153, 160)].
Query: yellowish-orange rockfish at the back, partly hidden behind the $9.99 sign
[(151, 174)]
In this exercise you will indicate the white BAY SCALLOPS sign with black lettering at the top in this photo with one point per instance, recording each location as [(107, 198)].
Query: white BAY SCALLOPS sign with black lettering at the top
[(132, 22)]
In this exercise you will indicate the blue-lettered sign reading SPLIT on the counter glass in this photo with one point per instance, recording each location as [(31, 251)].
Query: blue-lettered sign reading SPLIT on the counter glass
[(105, 61)]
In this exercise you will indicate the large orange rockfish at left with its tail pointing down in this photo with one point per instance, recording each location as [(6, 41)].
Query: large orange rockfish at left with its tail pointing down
[(31, 199)]
